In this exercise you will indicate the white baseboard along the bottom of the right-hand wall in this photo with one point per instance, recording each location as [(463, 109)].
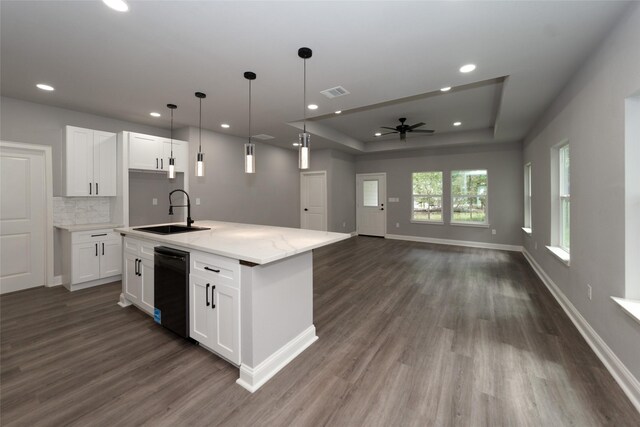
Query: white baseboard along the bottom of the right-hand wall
[(629, 384)]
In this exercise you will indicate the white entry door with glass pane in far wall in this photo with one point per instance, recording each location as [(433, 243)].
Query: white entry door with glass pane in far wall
[(371, 193)]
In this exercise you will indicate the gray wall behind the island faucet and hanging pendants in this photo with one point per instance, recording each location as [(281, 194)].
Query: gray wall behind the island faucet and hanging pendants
[(271, 196)]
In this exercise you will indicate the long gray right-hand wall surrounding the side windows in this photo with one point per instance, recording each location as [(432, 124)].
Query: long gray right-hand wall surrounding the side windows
[(590, 113)]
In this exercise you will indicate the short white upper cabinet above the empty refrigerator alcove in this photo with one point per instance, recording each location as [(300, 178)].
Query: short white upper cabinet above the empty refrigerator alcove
[(148, 152)]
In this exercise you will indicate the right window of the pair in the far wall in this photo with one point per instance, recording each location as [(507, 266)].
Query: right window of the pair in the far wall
[(469, 189)]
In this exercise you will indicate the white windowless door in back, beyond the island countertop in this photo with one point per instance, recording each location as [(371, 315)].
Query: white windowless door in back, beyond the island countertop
[(313, 200)]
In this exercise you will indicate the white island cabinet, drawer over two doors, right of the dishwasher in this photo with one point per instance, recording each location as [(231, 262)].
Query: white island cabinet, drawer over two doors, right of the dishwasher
[(214, 304)]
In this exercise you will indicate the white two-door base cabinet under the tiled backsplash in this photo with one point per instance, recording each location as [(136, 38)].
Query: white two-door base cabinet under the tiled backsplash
[(90, 258)]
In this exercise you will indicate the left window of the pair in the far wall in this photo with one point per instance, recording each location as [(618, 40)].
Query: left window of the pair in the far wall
[(427, 196)]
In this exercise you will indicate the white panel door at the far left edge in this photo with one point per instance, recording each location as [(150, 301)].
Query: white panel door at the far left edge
[(23, 219)]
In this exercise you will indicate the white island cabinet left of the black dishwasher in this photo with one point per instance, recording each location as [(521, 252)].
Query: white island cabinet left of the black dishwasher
[(137, 278)]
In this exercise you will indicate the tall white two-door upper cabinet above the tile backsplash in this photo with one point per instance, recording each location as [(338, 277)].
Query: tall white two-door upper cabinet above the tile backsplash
[(89, 158)]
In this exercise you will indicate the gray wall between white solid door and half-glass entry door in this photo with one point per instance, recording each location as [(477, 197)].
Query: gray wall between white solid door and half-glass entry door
[(341, 188)]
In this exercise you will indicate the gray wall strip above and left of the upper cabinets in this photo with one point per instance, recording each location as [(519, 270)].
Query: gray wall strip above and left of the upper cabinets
[(23, 121)]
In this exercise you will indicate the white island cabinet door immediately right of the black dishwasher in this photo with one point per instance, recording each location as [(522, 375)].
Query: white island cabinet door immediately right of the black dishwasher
[(200, 313)]
